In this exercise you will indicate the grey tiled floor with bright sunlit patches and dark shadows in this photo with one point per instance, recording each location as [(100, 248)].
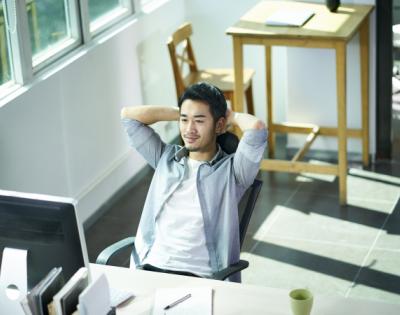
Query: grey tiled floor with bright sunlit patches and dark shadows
[(299, 236)]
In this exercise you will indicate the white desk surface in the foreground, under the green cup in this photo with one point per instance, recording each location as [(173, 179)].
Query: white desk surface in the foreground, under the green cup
[(229, 298)]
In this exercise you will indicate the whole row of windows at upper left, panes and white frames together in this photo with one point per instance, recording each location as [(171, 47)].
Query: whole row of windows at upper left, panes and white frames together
[(35, 33)]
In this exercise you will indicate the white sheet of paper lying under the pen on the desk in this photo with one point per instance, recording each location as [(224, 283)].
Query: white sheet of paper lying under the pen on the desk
[(200, 302)]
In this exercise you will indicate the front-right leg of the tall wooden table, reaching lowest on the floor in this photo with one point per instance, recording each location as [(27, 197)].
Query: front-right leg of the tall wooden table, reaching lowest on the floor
[(342, 119)]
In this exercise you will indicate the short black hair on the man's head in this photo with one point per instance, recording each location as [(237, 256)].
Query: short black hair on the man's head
[(209, 94)]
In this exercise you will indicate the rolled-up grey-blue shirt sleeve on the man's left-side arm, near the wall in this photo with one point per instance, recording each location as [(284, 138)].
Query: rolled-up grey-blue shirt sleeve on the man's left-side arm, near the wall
[(144, 140)]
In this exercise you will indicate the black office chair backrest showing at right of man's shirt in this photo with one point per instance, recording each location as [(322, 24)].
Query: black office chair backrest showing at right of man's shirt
[(246, 207)]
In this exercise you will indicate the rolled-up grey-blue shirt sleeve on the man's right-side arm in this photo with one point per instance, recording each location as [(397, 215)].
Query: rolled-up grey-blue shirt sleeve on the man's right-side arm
[(248, 156)]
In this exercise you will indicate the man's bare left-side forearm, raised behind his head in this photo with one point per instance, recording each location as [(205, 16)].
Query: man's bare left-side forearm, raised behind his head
[(150, 114)]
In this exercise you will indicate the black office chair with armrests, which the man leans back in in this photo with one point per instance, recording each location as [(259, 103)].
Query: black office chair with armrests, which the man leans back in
[(246, 207)]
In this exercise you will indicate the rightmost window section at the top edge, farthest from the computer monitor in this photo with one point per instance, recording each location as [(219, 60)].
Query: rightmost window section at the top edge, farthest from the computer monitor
[(104, 12)]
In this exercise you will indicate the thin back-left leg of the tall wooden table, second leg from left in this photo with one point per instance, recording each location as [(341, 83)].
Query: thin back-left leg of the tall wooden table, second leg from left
[(268, 79)]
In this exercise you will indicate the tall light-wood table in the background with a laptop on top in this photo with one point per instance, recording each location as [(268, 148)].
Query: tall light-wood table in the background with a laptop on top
[(323, 30)]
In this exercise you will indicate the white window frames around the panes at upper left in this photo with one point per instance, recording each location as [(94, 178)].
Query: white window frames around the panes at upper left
[(25, 67)]
